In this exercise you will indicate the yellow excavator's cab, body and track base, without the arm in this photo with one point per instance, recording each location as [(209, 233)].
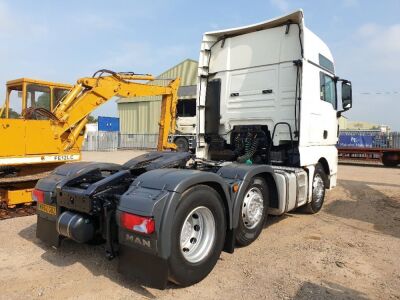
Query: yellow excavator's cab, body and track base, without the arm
[(26, 136)]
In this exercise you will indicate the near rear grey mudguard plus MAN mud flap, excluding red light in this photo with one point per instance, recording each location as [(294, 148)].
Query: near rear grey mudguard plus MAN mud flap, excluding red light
[(157, 193)]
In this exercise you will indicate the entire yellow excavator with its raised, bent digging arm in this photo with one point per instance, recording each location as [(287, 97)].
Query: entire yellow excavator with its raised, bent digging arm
[(42, 124)]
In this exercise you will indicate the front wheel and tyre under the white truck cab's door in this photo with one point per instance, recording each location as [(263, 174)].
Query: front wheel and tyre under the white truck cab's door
[(318, 190)]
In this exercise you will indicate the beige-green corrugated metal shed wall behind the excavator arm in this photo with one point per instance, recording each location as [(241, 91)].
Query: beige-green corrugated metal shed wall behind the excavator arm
[(141, 114)]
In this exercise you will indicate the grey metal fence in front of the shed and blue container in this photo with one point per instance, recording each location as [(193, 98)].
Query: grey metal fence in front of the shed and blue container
[(112, 141)]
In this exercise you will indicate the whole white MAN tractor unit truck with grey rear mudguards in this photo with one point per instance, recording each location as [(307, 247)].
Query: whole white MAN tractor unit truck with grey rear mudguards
[(267, 129)]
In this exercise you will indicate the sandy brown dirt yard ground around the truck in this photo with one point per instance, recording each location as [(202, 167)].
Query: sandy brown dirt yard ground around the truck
[(350, 250)]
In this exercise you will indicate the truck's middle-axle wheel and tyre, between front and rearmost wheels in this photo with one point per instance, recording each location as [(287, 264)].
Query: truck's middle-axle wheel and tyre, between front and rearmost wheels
[(253, 212)]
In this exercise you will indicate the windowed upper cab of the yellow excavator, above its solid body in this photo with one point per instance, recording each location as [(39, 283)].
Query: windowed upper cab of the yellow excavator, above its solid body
[(24, 94)]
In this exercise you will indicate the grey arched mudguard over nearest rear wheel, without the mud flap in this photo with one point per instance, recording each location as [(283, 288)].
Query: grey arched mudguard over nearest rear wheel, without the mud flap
[(157, 193)]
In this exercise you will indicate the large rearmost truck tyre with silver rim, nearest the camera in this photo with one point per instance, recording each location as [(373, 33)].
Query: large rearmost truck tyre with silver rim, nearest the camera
[(198, 235)]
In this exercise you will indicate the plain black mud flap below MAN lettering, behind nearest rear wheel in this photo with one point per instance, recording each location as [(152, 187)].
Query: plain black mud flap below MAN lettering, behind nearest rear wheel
[(150, 269)]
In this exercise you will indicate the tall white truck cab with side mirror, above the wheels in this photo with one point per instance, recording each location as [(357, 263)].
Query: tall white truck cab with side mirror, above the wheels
[(274, 84)]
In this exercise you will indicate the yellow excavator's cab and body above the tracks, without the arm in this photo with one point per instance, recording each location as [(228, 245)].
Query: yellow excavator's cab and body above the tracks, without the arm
[(23, 96)]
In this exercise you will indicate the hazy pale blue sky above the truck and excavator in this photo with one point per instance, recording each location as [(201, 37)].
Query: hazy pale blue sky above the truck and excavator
[(64, 40)]
